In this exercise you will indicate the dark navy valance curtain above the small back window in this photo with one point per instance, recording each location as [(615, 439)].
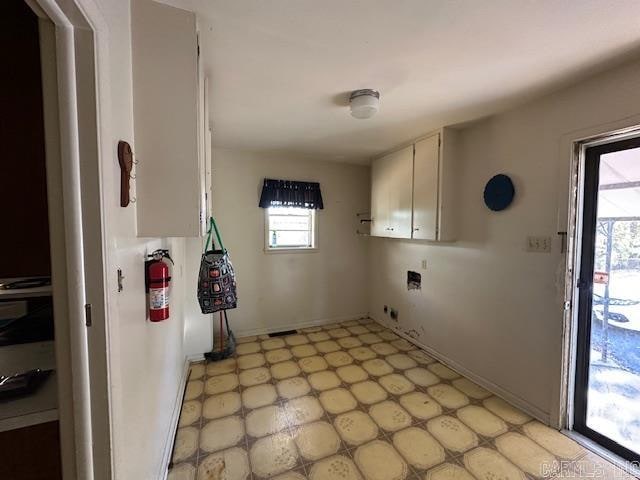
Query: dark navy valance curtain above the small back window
[(288, 193)]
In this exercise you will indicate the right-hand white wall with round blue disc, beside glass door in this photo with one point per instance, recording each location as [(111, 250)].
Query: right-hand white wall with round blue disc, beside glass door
[(486, 304)]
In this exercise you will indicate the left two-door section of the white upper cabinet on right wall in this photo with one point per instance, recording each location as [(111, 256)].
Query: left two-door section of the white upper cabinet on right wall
[(391, 194)]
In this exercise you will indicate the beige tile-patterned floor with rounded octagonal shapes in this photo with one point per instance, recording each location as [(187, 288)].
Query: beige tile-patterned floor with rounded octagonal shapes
[(354, 401)]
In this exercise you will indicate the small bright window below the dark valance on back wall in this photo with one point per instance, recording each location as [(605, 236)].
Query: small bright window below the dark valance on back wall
[(290, 228)]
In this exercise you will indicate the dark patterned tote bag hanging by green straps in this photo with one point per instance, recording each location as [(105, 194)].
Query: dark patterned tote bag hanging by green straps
[(216, 280)]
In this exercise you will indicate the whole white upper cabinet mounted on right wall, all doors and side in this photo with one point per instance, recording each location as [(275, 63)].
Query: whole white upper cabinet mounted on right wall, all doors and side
[(412, 190)]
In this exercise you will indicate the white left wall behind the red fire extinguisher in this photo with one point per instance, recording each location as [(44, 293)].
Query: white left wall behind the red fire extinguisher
[(146, 360)]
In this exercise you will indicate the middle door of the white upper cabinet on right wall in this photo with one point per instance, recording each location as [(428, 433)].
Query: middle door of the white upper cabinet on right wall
[(399, 179)]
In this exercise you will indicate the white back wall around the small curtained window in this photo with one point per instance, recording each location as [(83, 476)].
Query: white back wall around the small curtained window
[(285, 290)]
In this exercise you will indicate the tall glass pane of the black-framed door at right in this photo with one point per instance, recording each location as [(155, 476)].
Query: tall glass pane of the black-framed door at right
[(613, 406)]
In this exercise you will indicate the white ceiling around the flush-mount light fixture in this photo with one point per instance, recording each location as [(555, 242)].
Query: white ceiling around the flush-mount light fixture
[(281, 70)]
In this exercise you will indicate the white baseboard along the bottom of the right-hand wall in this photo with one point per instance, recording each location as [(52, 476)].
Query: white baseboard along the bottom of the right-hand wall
[(506, 395)]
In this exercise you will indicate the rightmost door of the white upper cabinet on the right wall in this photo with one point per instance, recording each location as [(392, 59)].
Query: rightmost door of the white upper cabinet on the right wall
[(425, 188)]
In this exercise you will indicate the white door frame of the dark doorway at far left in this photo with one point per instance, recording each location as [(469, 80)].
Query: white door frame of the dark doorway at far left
[(73, 38)]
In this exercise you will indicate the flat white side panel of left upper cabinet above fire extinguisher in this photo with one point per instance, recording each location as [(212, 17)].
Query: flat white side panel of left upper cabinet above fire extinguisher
[(166, 121)]
